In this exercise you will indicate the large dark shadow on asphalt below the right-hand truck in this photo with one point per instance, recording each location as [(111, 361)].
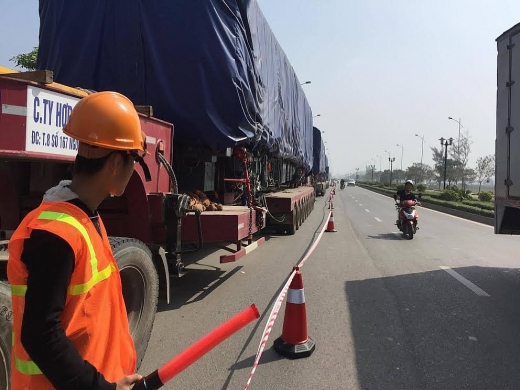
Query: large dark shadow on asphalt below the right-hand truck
[(429, 331)]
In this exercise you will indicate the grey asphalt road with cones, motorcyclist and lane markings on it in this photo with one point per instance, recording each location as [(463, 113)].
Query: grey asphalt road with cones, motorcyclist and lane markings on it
[(440, 311)]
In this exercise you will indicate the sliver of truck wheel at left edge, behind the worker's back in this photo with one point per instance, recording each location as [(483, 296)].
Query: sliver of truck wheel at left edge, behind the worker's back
[(6, 325)]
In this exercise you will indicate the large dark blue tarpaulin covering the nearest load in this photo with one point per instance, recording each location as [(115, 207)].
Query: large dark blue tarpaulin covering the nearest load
[(211, 67)]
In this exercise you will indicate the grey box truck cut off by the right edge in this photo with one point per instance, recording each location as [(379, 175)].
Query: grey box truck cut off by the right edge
[(507, 143)]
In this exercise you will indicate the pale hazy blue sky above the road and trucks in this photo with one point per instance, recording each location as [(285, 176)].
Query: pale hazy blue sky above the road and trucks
[(381, 71)]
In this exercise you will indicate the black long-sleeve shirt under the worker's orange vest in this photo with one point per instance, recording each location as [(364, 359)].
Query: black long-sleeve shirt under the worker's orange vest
[(50, 262)]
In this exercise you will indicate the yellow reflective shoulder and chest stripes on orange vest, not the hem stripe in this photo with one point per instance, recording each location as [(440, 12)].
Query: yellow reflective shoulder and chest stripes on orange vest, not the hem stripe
[(97, 276)]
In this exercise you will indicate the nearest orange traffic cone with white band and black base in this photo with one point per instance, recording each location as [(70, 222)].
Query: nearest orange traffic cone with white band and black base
[(295, 342)]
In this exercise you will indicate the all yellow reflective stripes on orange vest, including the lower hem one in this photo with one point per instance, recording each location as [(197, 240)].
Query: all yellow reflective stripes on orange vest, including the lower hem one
[(28, 367)]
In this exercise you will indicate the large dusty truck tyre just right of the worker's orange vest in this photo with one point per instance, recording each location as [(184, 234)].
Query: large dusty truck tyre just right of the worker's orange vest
[(140, 283)]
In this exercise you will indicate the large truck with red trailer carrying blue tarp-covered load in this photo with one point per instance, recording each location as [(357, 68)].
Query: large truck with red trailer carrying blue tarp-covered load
[(226, 120)]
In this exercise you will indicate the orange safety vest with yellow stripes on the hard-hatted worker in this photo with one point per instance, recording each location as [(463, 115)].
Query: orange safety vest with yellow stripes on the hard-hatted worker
[(94, 317)]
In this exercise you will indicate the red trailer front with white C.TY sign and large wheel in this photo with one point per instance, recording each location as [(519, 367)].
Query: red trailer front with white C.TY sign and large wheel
[(143, 224)]
